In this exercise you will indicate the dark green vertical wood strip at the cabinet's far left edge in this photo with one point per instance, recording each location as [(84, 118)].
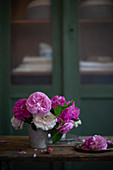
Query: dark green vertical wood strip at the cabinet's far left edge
[(4, 65)]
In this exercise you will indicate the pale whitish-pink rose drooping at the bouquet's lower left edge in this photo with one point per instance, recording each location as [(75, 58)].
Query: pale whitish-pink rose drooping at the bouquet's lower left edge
[(17, 124)]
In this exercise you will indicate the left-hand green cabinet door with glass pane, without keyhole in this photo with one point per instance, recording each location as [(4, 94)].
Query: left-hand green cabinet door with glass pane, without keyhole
[(30, 52)]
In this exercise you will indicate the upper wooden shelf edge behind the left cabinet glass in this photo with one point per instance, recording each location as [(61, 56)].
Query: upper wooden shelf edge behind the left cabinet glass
[(29, 21)]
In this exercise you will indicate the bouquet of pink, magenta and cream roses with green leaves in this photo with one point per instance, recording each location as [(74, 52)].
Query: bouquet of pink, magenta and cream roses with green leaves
[(42, 112)]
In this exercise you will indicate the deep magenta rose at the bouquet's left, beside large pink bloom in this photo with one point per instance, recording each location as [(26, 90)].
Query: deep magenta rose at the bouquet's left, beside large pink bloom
[(20, 111)]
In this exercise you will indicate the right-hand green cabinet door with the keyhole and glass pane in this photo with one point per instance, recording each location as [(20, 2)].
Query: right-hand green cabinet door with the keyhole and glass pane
[(94, 99)]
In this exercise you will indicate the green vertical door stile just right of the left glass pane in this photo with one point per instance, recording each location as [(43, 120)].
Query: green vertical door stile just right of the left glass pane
[(57, 46)]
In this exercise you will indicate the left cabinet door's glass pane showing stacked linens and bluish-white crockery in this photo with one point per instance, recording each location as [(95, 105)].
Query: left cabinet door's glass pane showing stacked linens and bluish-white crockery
[(31, 42)]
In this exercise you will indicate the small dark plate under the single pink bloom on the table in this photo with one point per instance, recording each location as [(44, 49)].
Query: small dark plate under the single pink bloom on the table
[(78, 147)]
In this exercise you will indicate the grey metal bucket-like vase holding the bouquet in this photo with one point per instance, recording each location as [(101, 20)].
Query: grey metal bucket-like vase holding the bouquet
[(38, 138)]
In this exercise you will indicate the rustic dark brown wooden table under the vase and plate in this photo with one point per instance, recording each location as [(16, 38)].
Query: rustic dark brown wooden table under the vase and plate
[(10, 147)]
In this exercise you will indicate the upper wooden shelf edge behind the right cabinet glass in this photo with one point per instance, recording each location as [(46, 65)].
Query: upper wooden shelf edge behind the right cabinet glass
[(95, 21)]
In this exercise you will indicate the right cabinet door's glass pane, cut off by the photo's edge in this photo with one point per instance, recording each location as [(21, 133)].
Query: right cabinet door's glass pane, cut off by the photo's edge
[(96, 41)]
